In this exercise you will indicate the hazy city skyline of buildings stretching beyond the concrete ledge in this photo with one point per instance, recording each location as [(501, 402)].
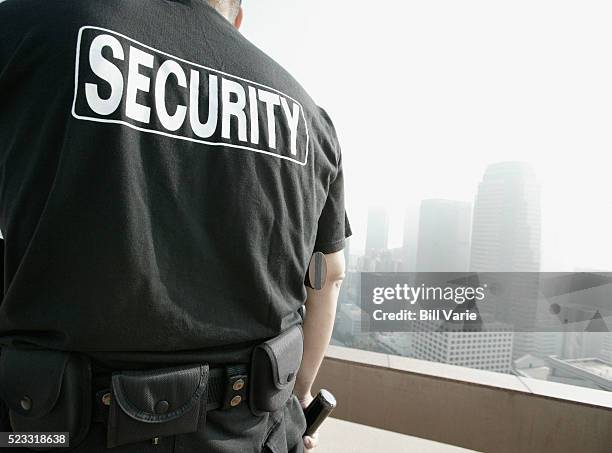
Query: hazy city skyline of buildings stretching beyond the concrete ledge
[(501, 232)]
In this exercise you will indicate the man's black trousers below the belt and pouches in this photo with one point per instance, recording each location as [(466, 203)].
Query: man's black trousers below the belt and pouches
[(235, 430)]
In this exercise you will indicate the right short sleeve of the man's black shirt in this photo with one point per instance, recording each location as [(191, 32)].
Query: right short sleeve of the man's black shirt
[(334, 227)]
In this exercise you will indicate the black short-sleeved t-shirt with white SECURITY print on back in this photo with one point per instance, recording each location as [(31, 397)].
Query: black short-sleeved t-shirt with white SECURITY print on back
[(163, 183)]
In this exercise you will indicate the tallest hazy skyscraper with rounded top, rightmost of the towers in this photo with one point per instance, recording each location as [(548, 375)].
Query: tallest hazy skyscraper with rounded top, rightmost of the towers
[(506, 238)]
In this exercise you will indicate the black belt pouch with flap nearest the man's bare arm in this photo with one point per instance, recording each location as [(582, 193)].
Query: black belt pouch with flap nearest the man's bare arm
[(274, 366)]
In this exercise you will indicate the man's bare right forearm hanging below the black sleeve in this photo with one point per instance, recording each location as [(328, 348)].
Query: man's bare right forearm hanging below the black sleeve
[(318, 324)]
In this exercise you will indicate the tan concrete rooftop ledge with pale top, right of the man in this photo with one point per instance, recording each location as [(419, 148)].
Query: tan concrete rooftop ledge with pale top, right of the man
[(473, 409)]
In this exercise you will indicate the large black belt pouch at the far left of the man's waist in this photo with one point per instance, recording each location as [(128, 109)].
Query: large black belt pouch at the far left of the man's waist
[(47, 391)]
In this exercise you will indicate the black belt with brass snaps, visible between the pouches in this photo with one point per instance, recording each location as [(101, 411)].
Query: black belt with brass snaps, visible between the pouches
[(227, 388)]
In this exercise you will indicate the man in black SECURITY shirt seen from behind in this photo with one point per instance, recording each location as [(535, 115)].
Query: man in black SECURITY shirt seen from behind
[(163, 187)]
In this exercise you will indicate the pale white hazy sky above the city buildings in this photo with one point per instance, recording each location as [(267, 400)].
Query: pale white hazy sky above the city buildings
[(426, 94)]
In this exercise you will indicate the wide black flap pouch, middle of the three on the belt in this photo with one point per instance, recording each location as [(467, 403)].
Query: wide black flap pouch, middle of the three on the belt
[(157, 403)]
